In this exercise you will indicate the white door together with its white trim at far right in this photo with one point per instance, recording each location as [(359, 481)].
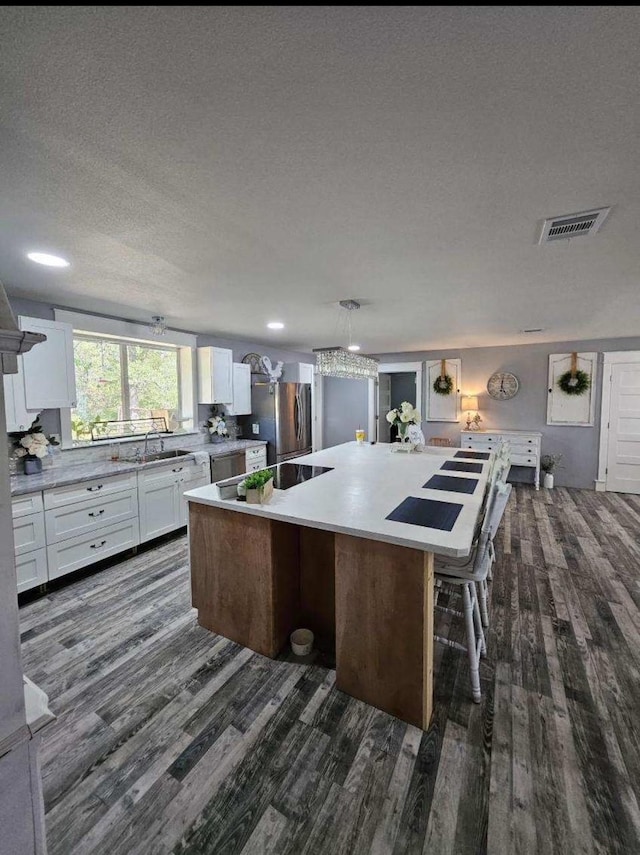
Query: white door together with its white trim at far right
[(619, 469)]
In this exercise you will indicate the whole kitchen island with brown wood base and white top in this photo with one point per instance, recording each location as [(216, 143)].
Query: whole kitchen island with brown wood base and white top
[(345, 547)]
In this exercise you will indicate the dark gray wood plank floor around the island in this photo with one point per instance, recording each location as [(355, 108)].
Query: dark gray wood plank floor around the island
[(171, 739)]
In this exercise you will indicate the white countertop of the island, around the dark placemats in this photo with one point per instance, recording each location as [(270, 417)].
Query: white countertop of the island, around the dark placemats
[(367, 483)]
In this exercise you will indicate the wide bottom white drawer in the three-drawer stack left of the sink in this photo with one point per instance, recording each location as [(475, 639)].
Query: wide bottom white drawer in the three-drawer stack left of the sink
[(69, 555)]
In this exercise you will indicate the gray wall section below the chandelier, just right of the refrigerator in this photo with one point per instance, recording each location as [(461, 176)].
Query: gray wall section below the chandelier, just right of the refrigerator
[(345, 407)]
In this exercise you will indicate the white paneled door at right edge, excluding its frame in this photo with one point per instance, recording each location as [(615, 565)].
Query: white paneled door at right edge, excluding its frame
[(623, 450)]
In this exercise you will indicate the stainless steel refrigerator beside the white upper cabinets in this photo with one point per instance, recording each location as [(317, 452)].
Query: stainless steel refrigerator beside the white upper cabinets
[(283, 411)]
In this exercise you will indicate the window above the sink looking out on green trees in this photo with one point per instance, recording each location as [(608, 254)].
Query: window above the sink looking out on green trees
[(118, 379)]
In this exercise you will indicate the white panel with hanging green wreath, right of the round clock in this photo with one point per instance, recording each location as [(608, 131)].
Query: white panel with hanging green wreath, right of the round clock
[(571, 392)]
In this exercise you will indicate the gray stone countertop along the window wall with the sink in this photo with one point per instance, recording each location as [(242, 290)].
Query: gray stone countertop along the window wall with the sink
[(61, 475)]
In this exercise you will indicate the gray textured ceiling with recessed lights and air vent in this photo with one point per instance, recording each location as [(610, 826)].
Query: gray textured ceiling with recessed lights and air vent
[(226, 166)]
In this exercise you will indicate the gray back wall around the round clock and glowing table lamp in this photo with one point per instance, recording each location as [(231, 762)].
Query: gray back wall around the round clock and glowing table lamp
[(528, 410)]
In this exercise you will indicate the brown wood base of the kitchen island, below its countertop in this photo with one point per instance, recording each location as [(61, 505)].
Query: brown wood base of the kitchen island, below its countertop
[(254, 580)]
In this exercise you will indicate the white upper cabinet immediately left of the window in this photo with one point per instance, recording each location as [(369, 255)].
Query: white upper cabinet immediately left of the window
[(48, 371)]
